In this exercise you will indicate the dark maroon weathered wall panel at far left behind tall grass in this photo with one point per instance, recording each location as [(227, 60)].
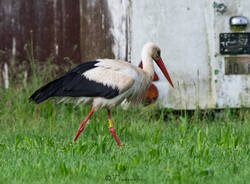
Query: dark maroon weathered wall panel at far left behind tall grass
[(53, 25)]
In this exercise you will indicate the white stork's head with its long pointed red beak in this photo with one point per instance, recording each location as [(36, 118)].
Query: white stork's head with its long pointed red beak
[(153, 51)]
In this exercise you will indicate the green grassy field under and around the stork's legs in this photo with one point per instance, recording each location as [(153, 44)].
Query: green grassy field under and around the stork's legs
[(160, 146)]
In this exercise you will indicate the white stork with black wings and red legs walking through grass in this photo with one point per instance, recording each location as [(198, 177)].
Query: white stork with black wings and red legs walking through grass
[(105, 83)]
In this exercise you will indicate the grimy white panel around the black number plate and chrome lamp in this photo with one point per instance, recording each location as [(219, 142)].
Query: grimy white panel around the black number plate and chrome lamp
[(232, 82)]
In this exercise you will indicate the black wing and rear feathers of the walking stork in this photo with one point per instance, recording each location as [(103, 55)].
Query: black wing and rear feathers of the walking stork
[(74, 84)]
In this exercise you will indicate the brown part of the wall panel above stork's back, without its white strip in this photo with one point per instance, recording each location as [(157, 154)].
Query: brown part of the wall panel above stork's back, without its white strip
[(96, 38)]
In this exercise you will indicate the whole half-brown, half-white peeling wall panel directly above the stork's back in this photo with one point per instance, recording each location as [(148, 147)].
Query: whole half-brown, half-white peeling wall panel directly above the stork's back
[(104, 29)]
